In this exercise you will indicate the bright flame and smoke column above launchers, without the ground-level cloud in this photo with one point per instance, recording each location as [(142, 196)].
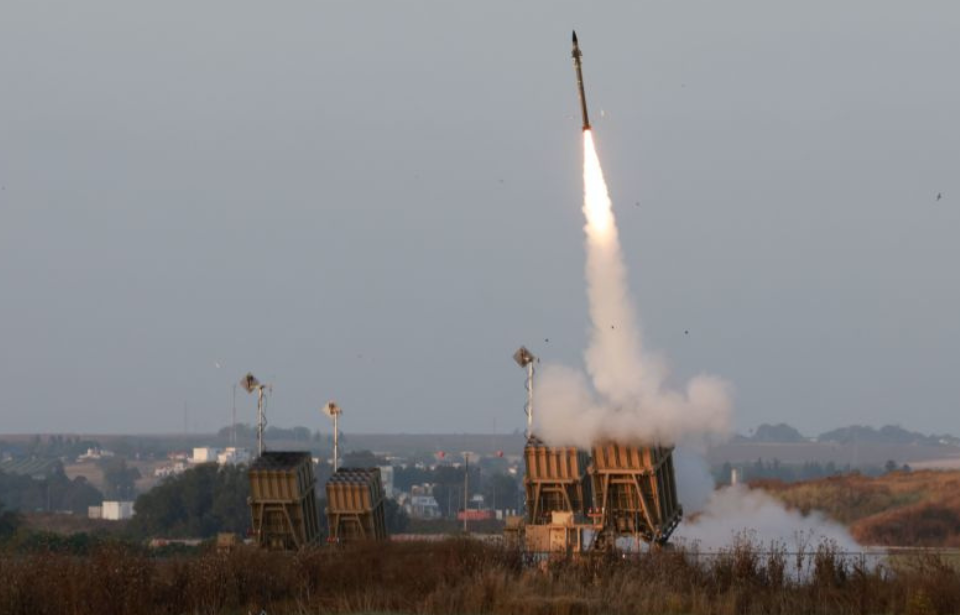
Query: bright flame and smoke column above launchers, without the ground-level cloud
[(633, 403)]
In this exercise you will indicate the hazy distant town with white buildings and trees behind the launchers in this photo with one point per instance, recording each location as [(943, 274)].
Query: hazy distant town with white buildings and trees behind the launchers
[(433, 483)]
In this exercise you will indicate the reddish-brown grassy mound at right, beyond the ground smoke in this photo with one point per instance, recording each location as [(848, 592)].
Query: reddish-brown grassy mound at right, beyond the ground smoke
[(904, 509)]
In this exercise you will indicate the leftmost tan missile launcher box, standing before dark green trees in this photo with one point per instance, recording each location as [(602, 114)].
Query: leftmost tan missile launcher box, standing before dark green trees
[(283, 500)]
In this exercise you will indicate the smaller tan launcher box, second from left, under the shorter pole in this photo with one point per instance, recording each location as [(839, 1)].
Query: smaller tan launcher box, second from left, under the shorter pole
[(355, 502)]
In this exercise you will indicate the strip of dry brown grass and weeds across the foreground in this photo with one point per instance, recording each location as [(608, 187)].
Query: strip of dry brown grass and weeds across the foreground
[(468, 577)]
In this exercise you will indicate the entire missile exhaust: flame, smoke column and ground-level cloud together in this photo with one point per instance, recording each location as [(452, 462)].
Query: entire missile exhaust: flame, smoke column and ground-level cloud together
[(629, 402)]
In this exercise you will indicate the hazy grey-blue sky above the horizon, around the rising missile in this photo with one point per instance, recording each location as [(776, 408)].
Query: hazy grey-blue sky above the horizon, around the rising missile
[(378, 202)]
